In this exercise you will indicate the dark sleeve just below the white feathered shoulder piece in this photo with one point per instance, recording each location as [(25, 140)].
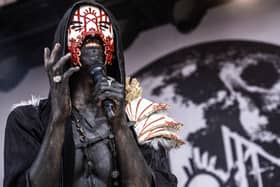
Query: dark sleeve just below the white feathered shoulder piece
[(159, 162)]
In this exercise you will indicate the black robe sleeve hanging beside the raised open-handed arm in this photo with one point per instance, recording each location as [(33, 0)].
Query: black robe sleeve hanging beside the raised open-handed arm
[(21, 147)]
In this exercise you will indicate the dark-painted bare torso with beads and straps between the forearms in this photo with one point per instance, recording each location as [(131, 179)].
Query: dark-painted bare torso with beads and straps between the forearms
[(93, 153)]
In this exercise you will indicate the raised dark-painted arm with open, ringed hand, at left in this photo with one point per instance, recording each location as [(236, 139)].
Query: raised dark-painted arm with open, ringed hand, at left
[(45, 170)]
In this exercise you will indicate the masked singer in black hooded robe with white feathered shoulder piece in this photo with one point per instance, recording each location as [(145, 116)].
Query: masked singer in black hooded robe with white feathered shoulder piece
[(86, 133)]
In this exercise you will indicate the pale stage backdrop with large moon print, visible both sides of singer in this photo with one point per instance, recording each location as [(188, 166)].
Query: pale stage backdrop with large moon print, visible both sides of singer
[(221, 81)]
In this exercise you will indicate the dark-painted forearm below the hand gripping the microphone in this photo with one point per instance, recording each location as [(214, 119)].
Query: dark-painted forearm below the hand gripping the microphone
[(133, 167)]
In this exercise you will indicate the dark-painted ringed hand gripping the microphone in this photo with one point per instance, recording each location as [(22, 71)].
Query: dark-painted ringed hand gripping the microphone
[(113, 90)]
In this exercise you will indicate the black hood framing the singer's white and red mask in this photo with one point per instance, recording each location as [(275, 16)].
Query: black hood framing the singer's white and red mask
[(116, 70)]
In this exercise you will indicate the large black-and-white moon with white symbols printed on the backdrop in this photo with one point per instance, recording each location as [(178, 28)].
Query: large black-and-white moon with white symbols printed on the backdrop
[(227, 93)]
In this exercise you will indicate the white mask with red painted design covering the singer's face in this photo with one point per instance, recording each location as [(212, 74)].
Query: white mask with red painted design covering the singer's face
[(90, 21)]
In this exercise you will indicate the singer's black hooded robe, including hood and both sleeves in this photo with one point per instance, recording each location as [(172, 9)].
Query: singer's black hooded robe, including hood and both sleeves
[(26, 126)]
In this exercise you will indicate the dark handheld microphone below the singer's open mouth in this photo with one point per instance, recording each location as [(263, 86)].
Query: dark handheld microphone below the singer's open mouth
[(98, 74)]
